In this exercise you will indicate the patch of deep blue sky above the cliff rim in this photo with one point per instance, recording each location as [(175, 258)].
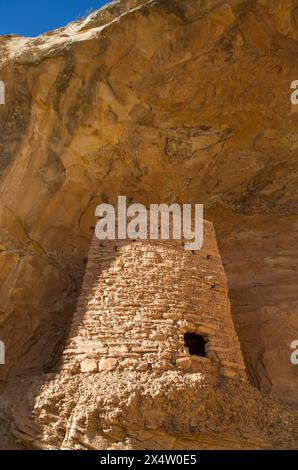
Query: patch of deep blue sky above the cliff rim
[(34, 17)]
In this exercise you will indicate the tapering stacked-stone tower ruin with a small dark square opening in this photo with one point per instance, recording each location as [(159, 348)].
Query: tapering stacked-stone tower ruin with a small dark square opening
[(152, 305)]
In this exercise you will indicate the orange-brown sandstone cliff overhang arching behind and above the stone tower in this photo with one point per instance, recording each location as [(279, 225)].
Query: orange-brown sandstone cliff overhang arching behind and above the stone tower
[(164, 101)]
